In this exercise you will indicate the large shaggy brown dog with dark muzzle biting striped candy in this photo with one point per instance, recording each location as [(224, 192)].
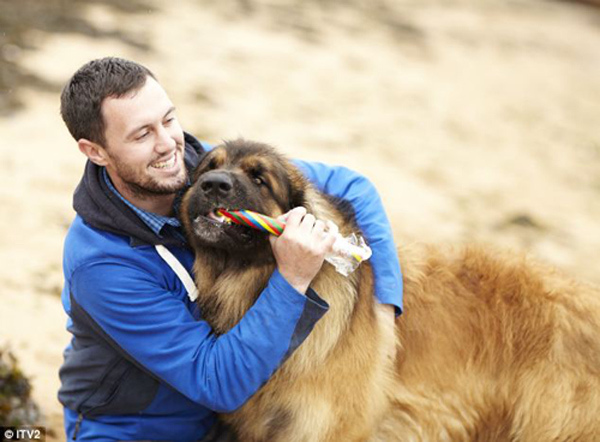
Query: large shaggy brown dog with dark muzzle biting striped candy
[(490, 347)]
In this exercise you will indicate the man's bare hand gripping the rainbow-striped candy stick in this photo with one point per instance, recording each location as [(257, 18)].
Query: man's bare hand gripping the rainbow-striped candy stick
[(302, 247)]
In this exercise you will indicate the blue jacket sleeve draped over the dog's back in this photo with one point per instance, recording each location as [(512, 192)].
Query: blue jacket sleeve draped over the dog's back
[(344, 183)]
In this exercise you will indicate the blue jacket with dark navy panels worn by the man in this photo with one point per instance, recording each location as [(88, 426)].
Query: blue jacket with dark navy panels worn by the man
[(141, 363)]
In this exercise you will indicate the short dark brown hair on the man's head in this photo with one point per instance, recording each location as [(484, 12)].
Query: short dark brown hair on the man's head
[(82, 97)]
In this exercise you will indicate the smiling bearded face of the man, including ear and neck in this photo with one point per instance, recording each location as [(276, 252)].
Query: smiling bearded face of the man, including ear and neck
[(145, 158)]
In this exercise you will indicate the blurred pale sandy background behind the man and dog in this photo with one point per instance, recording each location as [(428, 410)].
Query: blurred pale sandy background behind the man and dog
[(477, 120)]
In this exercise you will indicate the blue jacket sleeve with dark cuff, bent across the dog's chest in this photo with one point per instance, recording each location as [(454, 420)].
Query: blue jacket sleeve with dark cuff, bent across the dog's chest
[(156, 330)]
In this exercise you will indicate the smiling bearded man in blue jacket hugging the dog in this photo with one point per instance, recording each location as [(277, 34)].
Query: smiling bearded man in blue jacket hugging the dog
[(142, 364)]
